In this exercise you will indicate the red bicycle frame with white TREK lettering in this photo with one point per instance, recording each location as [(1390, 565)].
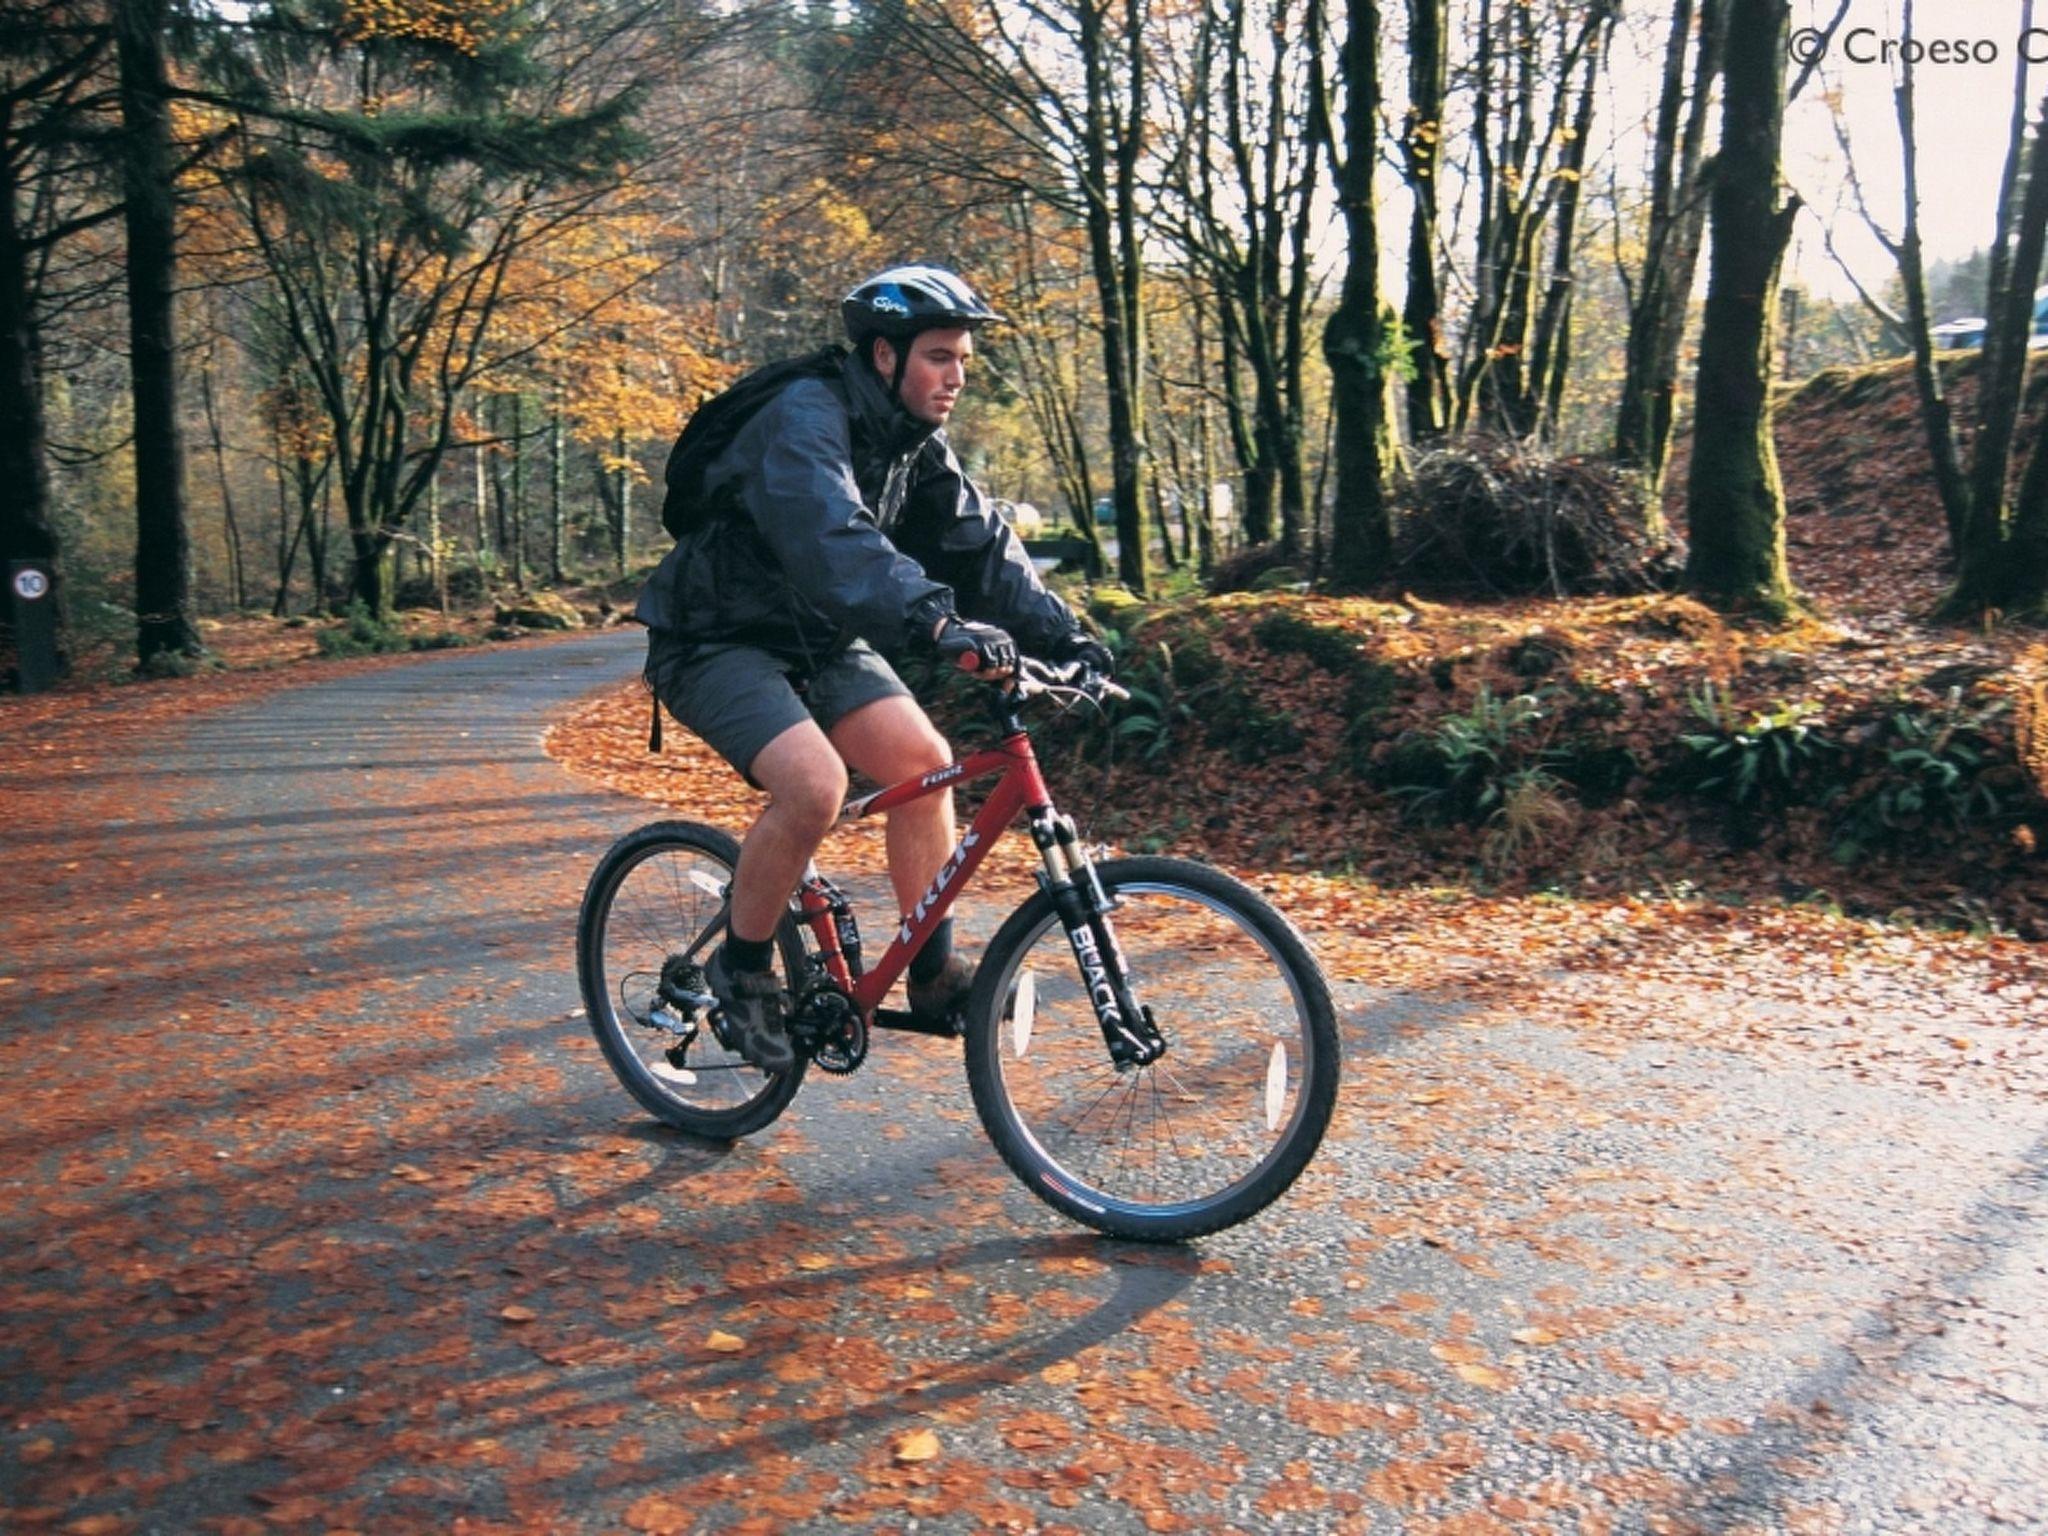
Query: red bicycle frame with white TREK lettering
[(1021, 787)]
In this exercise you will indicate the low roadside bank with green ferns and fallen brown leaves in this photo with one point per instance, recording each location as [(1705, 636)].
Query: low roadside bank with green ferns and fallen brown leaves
[(1572, 746)]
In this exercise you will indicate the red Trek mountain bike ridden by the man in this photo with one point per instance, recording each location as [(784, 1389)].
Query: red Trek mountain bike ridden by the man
[(1150, 1046)]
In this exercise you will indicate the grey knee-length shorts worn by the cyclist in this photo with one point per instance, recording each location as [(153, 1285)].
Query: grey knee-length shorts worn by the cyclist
[(740, 699)]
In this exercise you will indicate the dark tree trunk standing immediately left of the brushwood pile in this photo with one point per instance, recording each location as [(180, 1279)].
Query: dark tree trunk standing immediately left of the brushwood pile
[(1355, 343)]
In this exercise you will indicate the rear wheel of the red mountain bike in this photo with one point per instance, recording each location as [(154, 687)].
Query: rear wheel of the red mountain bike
[(648, 900)]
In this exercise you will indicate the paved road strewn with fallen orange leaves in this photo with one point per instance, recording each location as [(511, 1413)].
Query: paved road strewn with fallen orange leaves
[(321, 1211)]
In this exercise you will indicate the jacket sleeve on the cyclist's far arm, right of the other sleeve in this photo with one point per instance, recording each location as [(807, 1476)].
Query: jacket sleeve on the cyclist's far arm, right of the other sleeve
[(966, 544)]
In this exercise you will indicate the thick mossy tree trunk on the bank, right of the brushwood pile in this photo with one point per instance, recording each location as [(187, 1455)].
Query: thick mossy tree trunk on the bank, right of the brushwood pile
[(1736, 513)]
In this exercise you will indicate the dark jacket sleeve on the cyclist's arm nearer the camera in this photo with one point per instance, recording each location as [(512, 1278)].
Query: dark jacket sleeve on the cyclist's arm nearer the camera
[(808, 509)]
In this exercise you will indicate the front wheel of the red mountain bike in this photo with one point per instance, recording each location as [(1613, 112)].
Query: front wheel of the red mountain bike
[(1209, 1134)]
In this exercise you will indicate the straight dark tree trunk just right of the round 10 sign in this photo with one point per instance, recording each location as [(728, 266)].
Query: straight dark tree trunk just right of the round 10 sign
[(165, 626)]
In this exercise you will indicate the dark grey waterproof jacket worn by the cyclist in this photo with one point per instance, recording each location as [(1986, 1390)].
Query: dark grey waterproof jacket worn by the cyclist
[(839, 515)]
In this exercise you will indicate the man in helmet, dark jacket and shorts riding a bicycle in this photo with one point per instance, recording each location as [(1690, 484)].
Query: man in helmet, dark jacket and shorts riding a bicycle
[(826, 525)]
